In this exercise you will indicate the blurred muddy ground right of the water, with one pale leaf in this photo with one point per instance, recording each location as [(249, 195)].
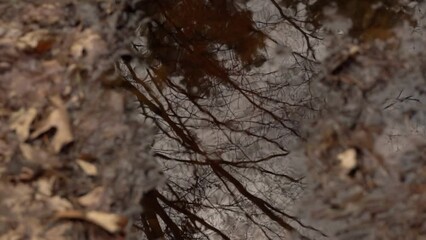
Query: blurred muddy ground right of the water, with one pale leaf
[(366, 155)]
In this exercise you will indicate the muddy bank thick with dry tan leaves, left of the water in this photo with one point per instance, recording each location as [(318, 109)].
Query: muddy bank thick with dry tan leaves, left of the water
[(69, 144)]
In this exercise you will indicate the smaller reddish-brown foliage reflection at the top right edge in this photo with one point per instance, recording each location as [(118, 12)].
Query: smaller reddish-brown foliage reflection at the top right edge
[(371, 19)]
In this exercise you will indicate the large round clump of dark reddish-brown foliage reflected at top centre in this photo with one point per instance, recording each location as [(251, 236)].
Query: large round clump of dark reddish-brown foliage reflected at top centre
[(200, 41)]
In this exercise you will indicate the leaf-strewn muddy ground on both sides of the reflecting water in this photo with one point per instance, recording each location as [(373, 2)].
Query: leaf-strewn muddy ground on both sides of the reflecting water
[(62, 134)]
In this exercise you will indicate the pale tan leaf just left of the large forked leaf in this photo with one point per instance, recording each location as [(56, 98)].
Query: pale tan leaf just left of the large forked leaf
[(21, 122)]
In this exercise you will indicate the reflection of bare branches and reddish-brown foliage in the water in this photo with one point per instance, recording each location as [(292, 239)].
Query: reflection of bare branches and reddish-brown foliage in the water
[(224, 125)]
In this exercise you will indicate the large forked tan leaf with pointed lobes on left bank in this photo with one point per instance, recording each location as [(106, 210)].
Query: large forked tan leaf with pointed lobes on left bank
[(59, 120)]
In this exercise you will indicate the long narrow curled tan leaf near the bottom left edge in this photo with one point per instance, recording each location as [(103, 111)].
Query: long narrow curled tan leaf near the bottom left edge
[(113, 223)]
